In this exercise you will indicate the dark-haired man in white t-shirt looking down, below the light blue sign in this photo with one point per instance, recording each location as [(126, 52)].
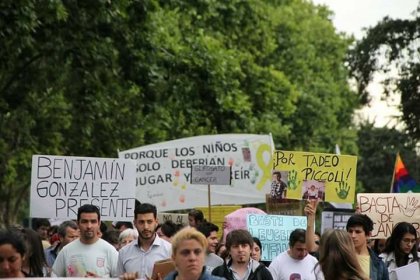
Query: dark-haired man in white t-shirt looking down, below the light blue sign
[(295, 263)]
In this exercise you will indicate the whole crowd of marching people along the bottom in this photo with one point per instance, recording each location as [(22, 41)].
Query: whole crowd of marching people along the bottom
[(86, 248)]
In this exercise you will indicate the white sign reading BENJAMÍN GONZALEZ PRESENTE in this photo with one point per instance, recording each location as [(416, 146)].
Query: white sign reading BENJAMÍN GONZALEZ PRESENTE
[(60, 185)]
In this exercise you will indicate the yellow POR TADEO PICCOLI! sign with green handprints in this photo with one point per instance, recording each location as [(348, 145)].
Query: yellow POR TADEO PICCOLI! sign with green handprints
[(328, 177)]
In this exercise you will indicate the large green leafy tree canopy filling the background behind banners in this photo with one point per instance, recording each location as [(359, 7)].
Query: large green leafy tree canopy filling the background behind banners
[(89, 77)]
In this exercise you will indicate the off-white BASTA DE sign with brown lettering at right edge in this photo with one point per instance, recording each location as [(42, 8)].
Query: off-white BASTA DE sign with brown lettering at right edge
[(388, 209)]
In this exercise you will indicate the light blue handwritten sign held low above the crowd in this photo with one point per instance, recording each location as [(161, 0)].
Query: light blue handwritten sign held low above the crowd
[(273, 232)]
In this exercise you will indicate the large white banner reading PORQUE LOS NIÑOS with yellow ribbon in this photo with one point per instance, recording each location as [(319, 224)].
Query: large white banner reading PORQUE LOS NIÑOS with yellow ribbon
[(164, 170)]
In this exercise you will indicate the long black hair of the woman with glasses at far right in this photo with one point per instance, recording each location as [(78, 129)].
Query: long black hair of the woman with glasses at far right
[(394, 241)]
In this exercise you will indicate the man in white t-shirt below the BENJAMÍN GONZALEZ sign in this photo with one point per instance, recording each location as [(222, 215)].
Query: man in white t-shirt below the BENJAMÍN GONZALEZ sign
[(88, 256)]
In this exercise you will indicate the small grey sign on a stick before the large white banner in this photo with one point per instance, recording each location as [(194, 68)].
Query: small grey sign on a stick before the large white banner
[(210, 175)]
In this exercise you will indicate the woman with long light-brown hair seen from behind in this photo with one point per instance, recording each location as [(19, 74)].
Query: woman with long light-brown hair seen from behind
[(337, 257)]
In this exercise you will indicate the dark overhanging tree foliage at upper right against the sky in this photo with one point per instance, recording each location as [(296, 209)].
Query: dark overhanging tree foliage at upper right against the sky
[(391, 44)]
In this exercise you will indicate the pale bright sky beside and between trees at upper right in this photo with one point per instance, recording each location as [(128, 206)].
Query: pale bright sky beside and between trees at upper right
[(352, 16)]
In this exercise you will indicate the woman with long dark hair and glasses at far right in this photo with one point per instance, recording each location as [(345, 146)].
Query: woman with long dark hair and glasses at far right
[(400, 248)]
